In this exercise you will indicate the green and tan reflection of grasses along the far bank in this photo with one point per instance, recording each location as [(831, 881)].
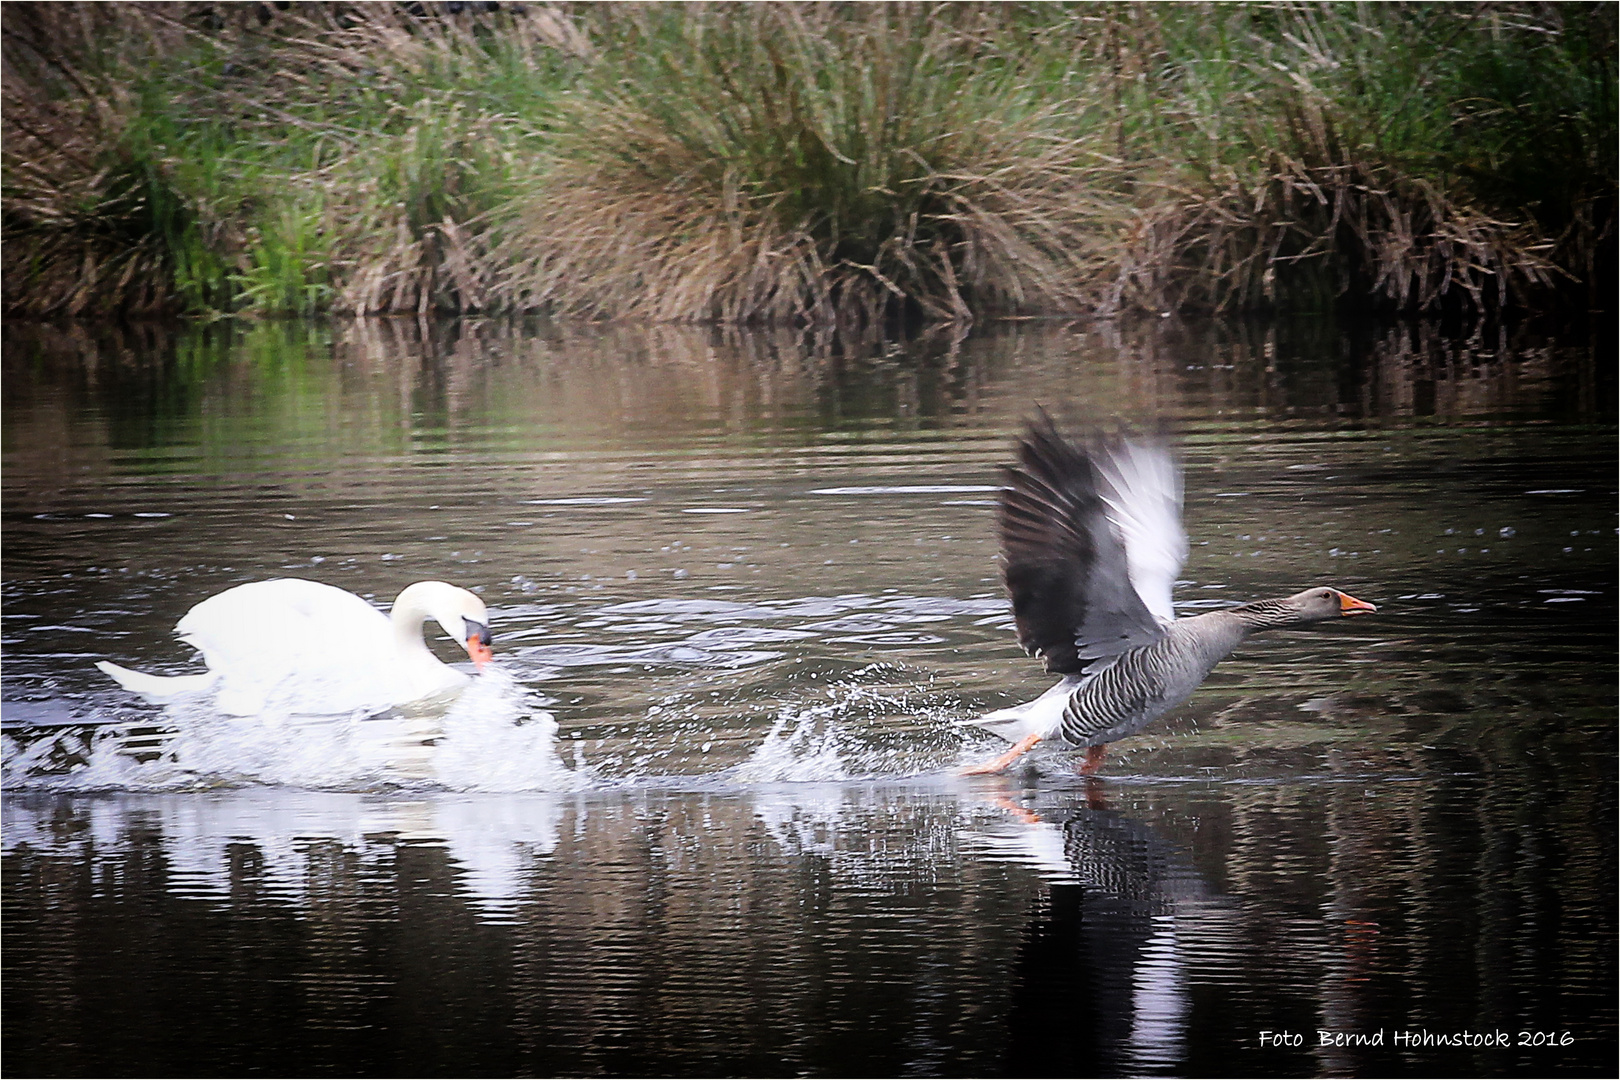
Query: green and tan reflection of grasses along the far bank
[(184, 401)]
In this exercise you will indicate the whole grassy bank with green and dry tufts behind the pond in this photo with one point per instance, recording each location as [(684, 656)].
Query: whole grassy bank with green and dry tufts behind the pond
[(808, 163)]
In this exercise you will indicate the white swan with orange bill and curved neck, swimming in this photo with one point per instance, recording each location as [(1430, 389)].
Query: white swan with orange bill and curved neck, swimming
[(292, 647)]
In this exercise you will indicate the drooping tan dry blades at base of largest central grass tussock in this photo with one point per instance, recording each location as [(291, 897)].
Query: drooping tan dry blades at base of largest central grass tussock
[(1010, 234)]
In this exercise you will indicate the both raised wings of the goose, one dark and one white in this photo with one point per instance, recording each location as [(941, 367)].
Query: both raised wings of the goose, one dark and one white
[(1091, 534)]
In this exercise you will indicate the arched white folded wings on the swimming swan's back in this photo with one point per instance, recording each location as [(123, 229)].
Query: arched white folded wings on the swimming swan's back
[(294, 647)]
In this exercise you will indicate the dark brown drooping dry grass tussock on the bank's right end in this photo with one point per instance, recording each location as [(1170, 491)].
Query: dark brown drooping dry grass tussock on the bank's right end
[(1316, 229)]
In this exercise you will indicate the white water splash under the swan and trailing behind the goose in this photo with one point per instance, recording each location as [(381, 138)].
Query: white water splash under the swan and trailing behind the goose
[(879, 721)]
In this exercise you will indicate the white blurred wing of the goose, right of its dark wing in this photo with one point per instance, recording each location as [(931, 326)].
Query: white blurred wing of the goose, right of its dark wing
[(1141, 485)]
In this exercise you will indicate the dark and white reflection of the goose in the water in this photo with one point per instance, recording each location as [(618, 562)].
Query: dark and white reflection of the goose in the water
[(1111, 951)]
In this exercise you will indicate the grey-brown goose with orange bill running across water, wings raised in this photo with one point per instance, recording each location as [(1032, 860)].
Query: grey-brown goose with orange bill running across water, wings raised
[(1093, 543)]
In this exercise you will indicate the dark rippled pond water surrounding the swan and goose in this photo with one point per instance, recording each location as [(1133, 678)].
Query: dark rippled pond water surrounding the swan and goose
[(704, 820)]
